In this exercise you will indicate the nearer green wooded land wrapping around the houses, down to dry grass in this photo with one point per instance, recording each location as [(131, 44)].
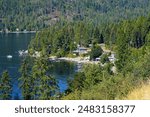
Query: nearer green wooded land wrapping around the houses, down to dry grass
[(130, 39)]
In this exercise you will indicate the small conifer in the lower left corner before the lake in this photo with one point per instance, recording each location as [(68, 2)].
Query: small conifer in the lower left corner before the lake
[(5, 86)]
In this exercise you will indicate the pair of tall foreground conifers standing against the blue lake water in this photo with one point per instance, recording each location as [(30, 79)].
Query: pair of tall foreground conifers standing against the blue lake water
[(36, 81)]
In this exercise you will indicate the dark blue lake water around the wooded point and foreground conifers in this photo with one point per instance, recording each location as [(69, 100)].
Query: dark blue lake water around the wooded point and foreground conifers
[(10, 44)]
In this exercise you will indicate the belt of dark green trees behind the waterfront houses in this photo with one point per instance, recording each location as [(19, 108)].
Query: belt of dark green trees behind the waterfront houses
[(61, 40)]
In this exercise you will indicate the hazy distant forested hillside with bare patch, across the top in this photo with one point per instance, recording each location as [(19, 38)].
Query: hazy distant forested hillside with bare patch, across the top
[(37, 14)]
